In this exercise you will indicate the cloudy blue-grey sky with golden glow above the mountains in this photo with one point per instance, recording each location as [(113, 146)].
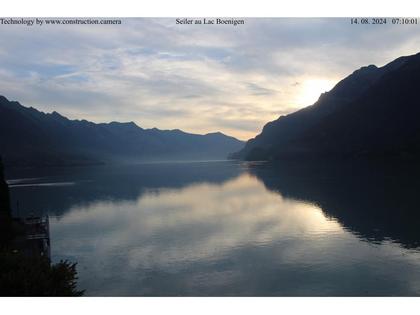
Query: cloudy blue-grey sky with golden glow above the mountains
[(197, 78)]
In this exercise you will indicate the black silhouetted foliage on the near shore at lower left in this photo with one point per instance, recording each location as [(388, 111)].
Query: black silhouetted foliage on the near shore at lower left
[(29, 275)]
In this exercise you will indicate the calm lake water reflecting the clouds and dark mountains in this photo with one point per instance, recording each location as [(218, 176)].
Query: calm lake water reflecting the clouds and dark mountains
[(231, 228)]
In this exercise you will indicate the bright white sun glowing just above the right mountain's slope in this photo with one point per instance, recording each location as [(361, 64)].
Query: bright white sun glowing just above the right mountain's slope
[(310, 90)]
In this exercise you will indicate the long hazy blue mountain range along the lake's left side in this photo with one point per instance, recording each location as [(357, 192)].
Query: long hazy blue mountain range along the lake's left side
[(31, 137)]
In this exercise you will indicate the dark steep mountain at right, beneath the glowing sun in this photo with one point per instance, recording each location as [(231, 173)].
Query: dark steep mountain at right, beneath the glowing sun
[(373, 113)]
